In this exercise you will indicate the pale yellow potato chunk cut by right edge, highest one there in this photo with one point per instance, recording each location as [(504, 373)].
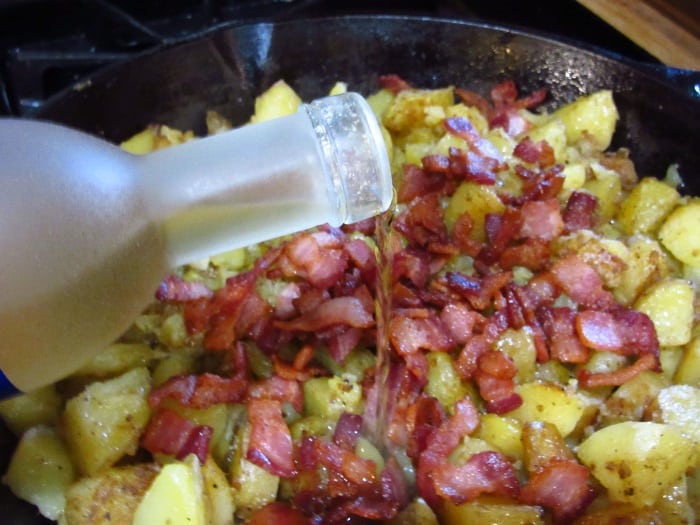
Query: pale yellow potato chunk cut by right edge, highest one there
[(679, 233)]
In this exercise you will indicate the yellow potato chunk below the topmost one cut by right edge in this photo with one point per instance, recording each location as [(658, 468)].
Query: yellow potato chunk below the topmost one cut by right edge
[(669, 304)]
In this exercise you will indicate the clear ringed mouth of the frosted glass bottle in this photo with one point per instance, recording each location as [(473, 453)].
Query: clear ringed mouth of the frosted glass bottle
[(353, 147)]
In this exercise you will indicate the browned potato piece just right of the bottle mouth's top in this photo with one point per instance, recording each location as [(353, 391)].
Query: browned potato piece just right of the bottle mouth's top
[(407, 110)]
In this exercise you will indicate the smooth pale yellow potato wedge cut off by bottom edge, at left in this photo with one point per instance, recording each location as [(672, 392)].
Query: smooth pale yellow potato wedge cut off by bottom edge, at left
[(176, 496)]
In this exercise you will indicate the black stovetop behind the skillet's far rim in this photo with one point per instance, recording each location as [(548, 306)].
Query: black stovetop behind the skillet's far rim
[(46, 45)]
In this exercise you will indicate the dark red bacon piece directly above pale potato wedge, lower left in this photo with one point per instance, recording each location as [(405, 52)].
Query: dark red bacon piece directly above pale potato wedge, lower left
[(170, 433)]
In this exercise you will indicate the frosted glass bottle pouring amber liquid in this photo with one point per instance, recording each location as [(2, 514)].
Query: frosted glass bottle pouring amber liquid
[(87, 231)]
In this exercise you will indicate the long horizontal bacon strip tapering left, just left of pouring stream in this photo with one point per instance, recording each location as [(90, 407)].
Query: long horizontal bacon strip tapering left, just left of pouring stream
[(339, 310)]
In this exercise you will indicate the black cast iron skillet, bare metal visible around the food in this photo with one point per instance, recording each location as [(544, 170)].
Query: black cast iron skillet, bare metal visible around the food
[(225, 70)]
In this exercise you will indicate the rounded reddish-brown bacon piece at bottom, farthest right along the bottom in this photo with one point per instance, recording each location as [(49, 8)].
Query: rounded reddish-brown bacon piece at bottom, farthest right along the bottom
[(561, 486)]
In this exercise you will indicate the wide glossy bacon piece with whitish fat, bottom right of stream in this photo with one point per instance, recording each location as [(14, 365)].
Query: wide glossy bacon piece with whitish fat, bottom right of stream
[(484, 473)]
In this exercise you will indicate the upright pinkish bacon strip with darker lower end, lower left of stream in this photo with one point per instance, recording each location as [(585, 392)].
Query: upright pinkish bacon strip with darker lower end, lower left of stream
[(270, 445)]
